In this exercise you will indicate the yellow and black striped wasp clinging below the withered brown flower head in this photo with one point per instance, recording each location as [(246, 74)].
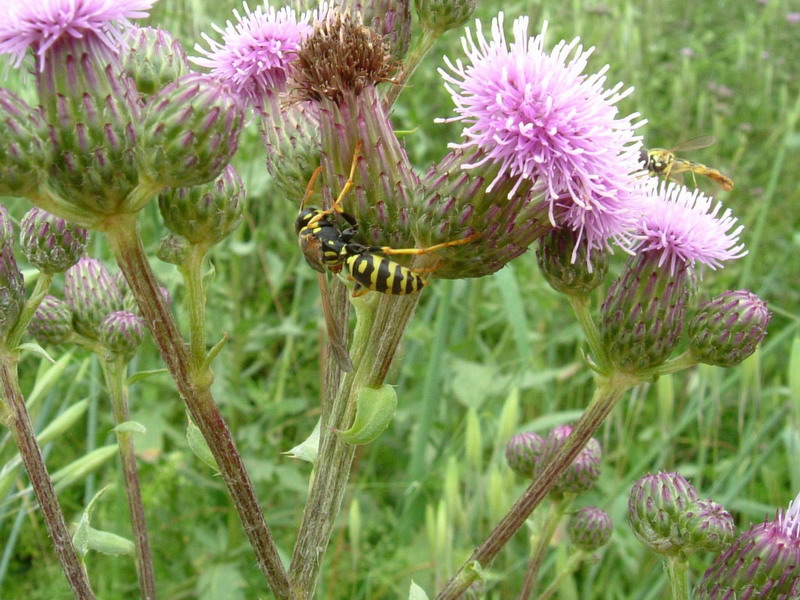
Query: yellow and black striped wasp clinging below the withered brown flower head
[(327, 246)]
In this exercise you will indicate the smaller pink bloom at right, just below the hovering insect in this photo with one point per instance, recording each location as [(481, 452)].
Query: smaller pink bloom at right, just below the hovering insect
[(684, 226)]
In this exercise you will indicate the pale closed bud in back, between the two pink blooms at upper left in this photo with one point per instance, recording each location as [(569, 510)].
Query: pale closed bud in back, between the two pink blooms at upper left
[(153, 59)]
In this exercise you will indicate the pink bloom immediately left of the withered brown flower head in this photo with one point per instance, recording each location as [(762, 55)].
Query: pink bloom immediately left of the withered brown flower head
[(255, 53)]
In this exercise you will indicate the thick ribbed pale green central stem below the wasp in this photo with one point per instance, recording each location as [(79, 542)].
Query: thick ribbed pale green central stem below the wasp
[(381, 322)]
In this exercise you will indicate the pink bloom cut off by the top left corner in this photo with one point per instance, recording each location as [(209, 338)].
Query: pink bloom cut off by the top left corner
[(42, 24)]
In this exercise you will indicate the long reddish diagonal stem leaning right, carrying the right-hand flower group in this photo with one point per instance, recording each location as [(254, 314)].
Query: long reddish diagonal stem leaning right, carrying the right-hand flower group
[(607, 393)]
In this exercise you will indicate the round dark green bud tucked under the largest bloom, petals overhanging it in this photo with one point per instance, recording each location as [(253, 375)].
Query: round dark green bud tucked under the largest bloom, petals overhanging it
[(565, 262)]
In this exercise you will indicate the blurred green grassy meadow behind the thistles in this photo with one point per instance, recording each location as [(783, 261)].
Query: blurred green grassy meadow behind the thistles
[(482, 359)]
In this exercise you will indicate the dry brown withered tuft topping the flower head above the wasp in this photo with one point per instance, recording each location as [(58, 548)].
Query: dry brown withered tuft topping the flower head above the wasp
[(341, 56)]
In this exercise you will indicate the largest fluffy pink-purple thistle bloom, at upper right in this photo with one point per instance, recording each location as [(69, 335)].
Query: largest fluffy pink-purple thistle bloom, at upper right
[(540, 117)]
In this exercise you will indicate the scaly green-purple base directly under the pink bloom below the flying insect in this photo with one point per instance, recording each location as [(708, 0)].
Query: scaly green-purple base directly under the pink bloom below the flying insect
[(643, 314)]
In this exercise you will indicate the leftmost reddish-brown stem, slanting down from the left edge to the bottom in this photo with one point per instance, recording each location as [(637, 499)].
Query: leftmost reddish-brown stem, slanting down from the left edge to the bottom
[(14, 414)]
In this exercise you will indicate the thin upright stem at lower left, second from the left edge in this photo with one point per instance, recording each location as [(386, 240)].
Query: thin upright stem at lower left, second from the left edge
[(115, 372)]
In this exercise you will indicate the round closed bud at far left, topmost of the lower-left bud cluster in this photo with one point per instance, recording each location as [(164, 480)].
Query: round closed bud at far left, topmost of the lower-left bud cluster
[(50, 243)]
